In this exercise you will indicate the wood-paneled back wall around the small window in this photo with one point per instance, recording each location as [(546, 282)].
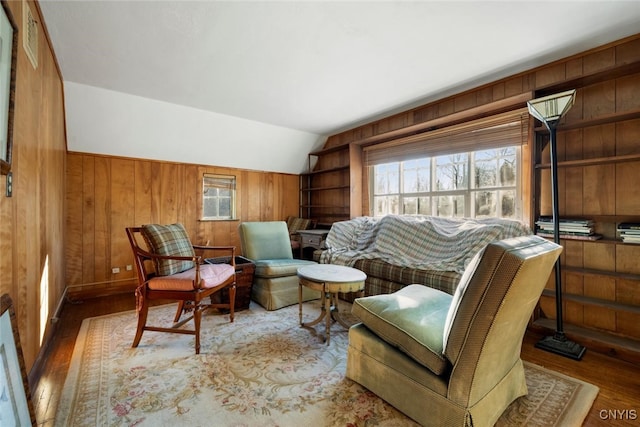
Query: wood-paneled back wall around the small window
[(106, 194)]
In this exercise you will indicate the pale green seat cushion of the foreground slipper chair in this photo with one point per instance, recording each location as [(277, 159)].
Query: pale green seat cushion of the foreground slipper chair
[(411, 319)]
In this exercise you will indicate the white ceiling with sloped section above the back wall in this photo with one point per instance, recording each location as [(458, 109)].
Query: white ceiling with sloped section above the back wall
[(203, 81)]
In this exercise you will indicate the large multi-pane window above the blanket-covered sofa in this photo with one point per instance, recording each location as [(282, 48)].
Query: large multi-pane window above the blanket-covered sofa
[(481, 183)]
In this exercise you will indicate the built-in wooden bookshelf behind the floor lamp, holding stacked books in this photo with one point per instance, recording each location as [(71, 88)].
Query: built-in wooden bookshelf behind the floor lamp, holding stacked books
[(598, 172)]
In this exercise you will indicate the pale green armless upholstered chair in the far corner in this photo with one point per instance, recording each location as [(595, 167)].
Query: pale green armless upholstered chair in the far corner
[(275, 283)]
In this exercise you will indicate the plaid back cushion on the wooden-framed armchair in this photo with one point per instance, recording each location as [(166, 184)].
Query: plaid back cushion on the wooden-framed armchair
[(171, 240)]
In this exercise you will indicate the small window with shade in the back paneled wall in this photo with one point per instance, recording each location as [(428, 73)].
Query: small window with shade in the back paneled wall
[(218, 197)]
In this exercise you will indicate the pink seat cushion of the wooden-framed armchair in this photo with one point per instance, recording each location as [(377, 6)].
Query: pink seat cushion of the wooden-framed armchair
[(211, 275)]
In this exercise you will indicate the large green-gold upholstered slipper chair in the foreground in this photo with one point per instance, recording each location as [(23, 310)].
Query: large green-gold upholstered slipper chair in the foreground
[(454, 360)]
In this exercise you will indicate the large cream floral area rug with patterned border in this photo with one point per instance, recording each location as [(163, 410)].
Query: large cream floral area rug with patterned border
[(261, 370)]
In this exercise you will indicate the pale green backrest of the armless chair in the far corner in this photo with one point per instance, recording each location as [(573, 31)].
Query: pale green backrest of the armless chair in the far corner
[(265, 240)]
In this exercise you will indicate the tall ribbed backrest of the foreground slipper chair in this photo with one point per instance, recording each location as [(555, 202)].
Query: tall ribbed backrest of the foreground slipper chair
[(491, 319)]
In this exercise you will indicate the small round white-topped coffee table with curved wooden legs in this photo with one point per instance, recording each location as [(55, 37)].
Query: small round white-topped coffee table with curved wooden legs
[(329, 279)]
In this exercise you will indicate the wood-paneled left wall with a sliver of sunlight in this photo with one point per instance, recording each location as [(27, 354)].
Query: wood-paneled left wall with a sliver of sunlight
[(32, 219)]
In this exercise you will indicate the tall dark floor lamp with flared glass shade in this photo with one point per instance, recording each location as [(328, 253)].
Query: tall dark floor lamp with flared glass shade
[(549, 110)]
